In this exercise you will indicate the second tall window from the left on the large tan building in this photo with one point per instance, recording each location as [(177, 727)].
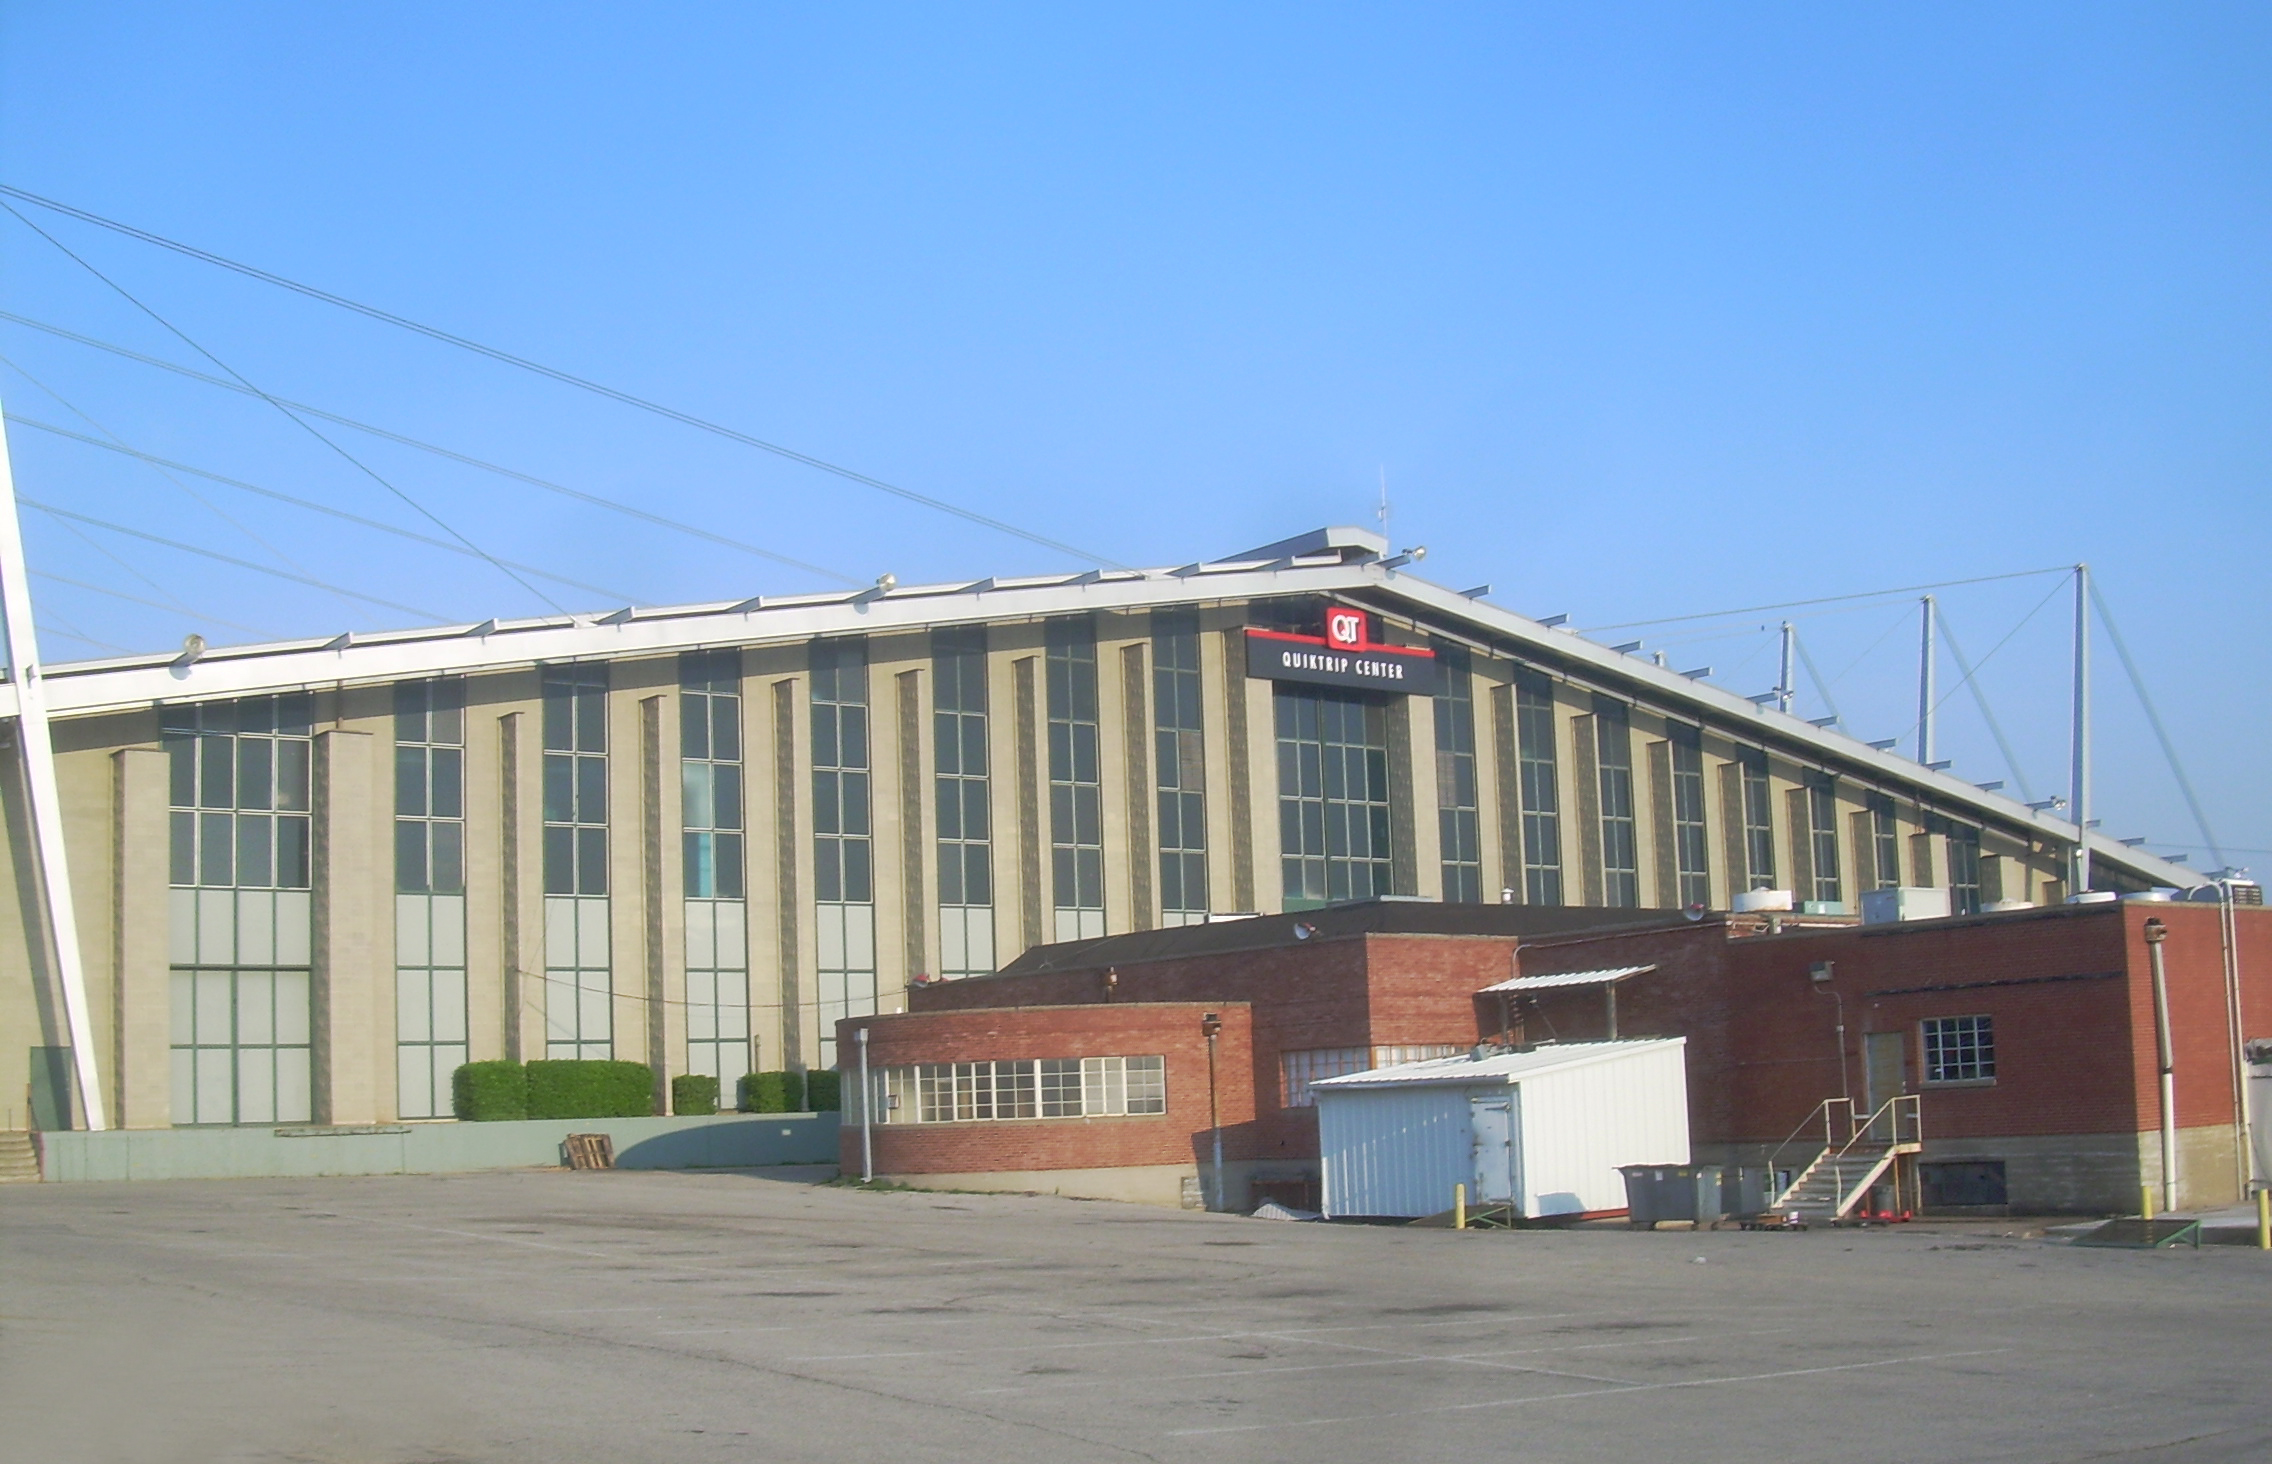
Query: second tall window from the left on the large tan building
[(431, 895)]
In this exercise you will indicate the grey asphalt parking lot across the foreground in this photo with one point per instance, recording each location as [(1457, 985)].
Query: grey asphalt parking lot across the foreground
[(660, 1317)]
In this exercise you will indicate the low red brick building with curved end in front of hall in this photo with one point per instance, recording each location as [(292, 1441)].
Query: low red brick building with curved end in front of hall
[(2028, 1035)]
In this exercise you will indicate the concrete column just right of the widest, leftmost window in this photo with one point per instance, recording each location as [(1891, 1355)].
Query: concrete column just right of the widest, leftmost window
[(349, 883)]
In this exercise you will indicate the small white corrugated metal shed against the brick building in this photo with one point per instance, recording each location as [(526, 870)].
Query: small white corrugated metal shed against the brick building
[(1544, 1129)]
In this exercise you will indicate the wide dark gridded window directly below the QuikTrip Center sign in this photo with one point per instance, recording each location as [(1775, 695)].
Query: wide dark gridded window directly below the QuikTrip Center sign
[(1333, 797)]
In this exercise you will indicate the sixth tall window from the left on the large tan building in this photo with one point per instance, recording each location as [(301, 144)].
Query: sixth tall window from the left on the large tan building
[(964, 801)]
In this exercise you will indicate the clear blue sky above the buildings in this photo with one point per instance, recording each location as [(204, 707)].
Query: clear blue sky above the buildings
[(1642, 313)]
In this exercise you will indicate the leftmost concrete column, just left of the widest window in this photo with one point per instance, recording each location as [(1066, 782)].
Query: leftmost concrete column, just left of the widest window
[(140, 942)]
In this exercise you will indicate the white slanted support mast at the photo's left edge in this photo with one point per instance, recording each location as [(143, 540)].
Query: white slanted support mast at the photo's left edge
[(44, 797)]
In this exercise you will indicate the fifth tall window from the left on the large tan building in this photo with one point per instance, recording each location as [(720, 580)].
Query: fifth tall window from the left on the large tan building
[(844, 867)]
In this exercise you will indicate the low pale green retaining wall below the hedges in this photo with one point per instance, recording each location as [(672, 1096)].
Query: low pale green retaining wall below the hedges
[(431, 1149)]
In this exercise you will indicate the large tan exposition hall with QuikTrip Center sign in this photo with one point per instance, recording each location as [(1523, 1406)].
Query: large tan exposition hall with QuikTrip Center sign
[(312, 879)]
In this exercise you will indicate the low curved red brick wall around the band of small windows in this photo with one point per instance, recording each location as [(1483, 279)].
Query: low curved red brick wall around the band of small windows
[(1083, 1031)]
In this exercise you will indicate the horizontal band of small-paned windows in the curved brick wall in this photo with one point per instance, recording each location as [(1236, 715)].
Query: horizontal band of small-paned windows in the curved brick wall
[(1051, 1088)]
